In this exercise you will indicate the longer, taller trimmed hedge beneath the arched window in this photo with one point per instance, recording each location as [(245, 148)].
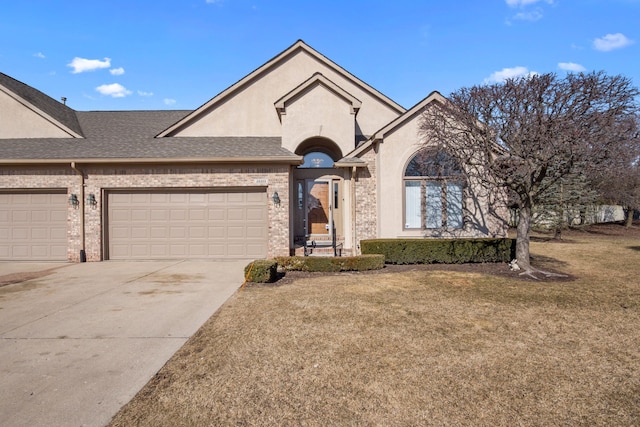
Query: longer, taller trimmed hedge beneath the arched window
[(444, 251)]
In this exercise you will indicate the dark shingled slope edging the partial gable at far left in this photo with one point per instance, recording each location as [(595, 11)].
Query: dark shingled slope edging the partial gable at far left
[(45, 103)]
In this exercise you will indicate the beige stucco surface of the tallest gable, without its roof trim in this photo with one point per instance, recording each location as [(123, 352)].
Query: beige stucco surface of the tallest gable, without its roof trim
[(251, 111)]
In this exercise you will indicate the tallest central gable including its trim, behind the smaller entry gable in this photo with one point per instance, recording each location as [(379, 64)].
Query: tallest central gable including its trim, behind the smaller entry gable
[(247, 108)]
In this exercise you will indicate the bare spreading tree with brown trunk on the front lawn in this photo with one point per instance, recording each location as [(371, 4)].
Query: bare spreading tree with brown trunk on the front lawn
[(525, 134)]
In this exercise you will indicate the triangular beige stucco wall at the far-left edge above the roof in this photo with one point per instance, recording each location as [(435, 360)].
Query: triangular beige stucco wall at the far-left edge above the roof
[(18, 121)]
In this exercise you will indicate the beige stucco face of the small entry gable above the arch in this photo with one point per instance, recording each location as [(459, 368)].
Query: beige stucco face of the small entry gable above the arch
[(318, 112)]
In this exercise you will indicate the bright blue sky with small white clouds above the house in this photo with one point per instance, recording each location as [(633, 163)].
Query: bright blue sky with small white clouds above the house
[(177, 54)]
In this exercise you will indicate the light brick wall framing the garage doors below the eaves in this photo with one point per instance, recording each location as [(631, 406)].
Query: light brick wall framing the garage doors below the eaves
[(98, 179)]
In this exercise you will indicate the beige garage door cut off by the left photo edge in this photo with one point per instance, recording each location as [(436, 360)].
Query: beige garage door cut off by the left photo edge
[(33, 226)]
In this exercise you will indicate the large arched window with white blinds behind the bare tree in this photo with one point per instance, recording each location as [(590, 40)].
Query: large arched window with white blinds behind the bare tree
[(433, 191)]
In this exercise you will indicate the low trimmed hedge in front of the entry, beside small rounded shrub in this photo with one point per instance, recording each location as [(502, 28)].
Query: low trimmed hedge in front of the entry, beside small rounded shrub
[(332, 264)]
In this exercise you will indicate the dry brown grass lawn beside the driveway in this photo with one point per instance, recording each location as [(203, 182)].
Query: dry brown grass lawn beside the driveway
[(418, 347)]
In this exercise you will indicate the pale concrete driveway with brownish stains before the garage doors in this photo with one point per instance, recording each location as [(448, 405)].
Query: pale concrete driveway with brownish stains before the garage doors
[(80, 342)]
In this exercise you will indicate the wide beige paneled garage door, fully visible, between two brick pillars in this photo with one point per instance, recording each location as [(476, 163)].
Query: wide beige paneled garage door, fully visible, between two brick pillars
[(187, 224)]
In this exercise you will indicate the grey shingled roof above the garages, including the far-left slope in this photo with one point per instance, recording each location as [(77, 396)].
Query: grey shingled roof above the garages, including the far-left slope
[(128, 136)]
